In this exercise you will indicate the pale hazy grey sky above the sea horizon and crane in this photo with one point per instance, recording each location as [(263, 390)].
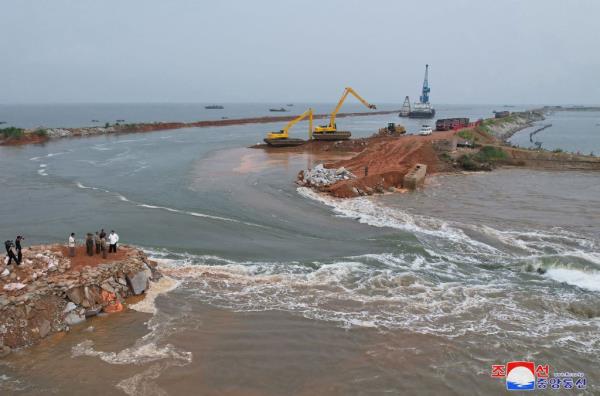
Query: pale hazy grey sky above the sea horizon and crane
[(480, 51)]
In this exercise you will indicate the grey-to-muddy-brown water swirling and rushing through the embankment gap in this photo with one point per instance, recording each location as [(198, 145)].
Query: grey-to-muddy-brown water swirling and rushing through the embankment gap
[(272, 289)]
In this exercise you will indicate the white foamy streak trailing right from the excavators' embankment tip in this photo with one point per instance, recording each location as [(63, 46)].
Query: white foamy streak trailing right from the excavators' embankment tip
[(451, 237)]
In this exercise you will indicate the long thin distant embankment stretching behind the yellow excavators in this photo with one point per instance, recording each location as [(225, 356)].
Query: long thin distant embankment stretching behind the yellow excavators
[(34, 135)]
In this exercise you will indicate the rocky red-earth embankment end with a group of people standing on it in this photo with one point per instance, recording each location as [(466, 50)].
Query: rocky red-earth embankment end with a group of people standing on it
[(50, 292)]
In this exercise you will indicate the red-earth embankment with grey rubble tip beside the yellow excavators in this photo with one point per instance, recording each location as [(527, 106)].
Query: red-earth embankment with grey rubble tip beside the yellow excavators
[(380, 163)]
